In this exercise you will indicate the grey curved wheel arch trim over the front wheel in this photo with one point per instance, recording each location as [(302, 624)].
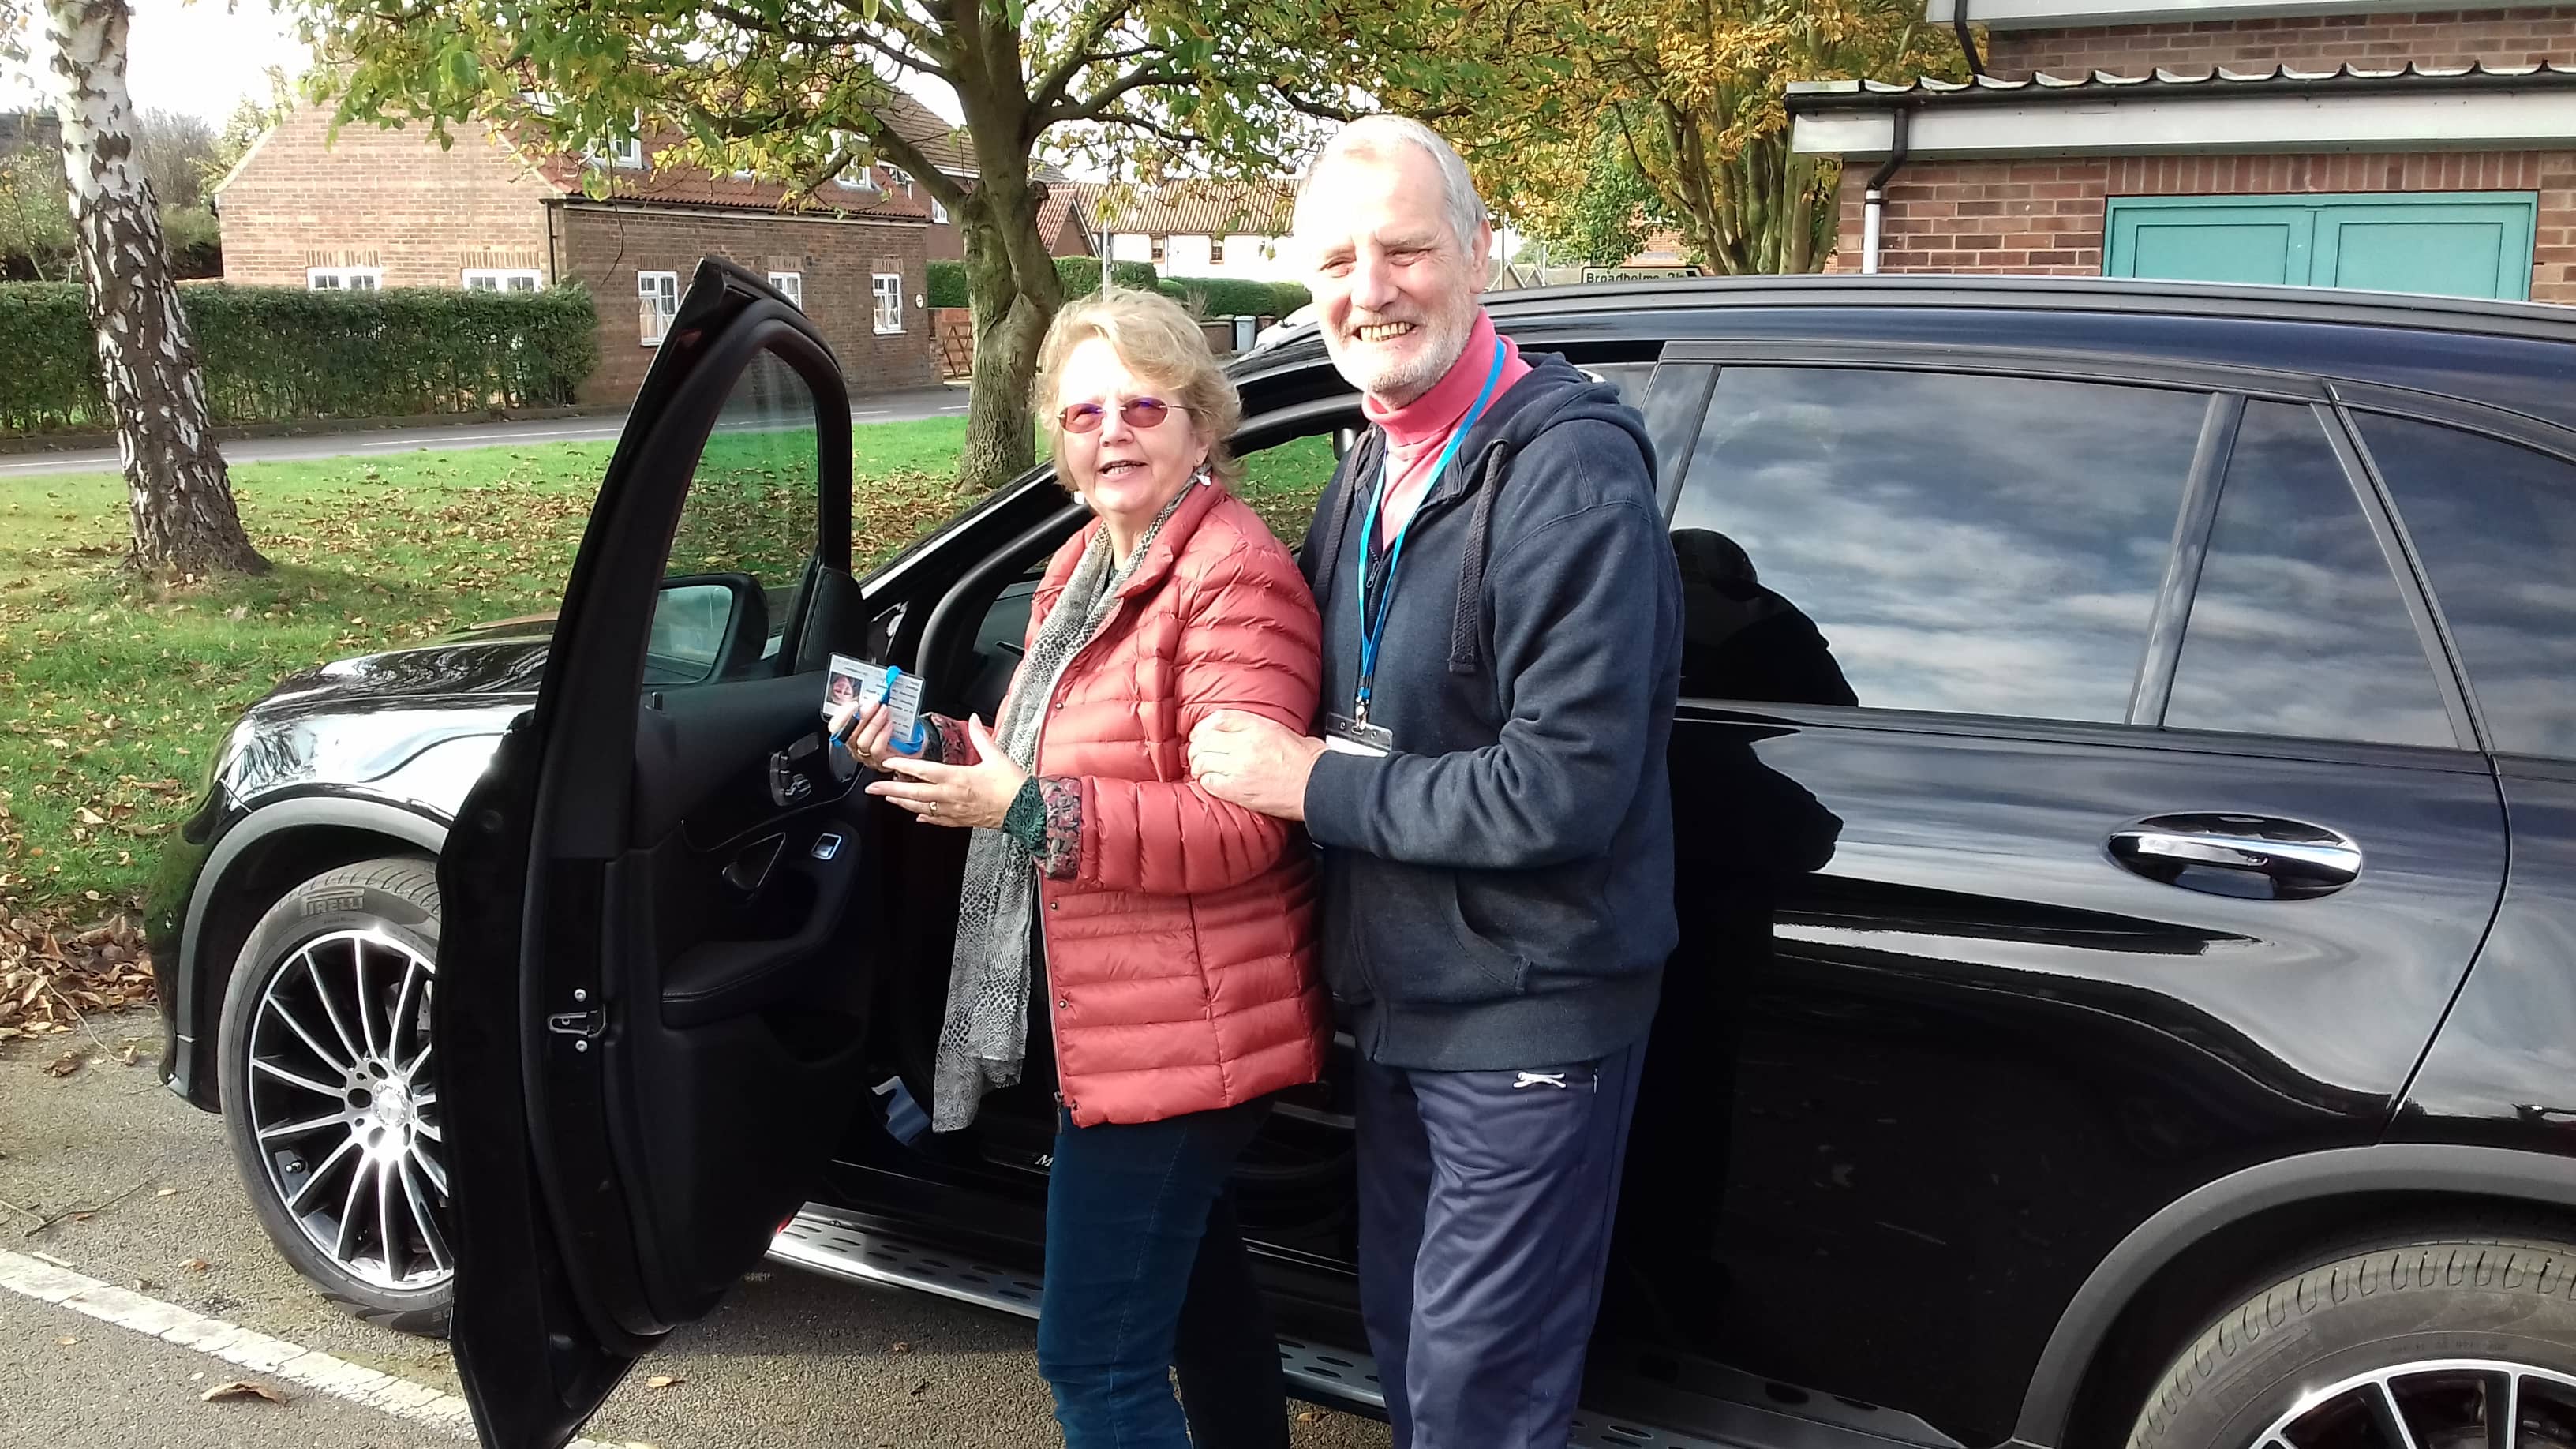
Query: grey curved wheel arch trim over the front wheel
[(251, 868)]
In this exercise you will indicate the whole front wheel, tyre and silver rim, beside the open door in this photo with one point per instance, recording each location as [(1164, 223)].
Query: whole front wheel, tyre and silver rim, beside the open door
[(328, 1092)]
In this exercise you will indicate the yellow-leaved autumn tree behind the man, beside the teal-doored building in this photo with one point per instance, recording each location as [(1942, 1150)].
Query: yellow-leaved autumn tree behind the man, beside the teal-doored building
[(1673, 112)]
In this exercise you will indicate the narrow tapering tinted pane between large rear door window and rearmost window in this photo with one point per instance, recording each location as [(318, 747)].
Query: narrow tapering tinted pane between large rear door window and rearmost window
[(2299, 625)]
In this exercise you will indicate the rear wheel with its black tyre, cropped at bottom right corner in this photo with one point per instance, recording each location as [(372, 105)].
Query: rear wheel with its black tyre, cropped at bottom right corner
[(2438, 1337)]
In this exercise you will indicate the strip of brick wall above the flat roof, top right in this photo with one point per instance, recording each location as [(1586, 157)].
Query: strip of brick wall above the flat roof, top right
[(2302, 43)]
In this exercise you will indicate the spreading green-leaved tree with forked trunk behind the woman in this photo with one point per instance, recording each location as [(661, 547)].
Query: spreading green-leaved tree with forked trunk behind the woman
[(802, 92)]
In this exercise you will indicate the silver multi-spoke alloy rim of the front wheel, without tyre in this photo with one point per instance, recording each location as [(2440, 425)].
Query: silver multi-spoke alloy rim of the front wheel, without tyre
[(344, 1107)]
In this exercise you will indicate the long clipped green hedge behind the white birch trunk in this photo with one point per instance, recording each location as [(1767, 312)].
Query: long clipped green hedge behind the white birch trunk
[(279, 355)]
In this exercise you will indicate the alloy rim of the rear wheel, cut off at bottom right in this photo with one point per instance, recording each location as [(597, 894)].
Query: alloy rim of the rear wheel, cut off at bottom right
[(2438, 1404)]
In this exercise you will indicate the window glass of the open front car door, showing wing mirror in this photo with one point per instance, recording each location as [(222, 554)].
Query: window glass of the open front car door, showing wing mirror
[(746, 535)]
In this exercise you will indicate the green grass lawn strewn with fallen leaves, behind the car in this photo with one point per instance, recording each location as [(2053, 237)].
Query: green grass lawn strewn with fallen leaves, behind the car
[(115, 692)]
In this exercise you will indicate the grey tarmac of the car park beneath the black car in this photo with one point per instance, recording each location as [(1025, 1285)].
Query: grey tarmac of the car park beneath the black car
[(790, 1363)]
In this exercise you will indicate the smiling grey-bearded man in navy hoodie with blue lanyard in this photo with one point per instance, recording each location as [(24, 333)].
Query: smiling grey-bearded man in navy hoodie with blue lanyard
[(1503, 630)]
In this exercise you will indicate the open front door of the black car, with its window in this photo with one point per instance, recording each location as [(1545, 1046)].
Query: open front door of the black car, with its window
[(653, 986)]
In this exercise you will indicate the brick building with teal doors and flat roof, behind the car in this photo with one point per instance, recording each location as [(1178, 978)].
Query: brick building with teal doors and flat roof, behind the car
[(2335, 143)]
